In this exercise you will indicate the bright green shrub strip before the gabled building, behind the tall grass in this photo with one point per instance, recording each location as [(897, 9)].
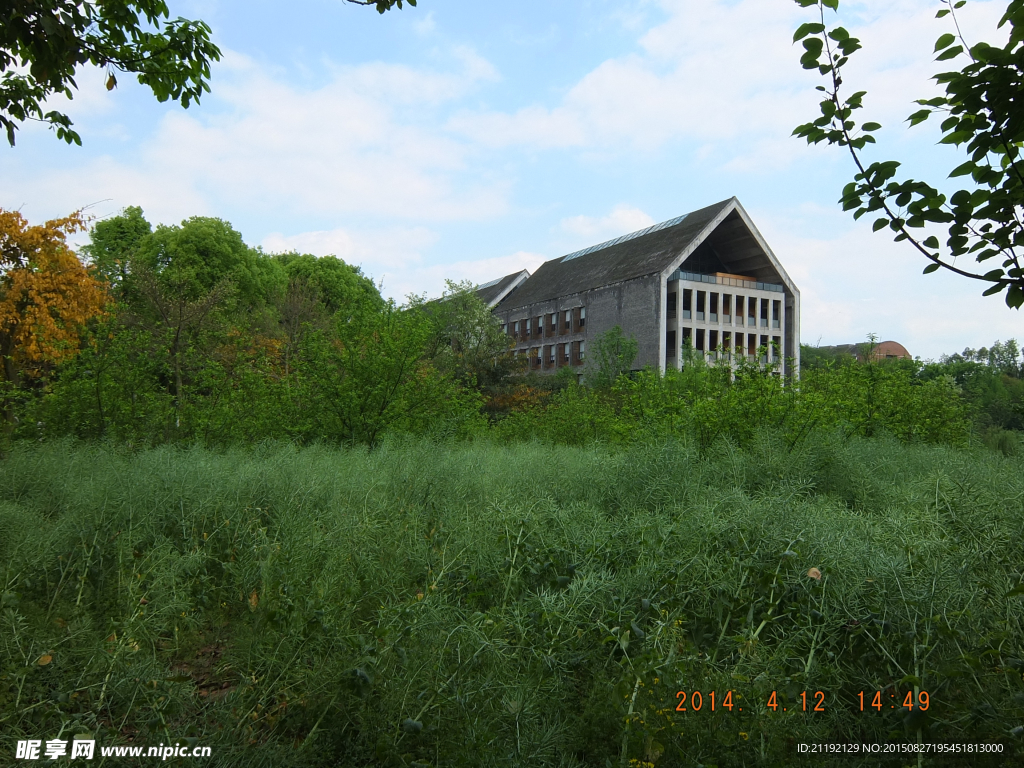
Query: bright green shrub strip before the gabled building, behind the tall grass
[(708, 402)]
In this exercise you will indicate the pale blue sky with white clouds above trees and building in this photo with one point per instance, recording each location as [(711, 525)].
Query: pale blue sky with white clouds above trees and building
[(467, 141)]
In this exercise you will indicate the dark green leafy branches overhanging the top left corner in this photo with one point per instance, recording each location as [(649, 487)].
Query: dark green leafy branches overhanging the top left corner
[(55, 38)]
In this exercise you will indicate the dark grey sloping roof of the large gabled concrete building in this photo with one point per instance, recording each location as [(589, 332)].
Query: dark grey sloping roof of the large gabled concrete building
[(645, 252)]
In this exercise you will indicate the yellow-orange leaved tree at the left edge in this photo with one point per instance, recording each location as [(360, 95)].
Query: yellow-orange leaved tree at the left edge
[(47, 296)]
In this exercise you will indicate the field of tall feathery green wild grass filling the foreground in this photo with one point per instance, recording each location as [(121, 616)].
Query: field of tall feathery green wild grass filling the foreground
[(535, 606)]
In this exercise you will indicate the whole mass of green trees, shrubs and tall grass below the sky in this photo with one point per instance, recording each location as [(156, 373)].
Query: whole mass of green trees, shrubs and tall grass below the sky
[(254, 505)]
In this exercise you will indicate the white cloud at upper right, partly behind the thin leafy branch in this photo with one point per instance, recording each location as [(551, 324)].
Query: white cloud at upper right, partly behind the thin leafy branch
[(729, 73)]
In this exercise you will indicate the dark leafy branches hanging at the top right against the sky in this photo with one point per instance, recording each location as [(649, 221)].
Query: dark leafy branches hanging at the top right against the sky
[(986, 119)]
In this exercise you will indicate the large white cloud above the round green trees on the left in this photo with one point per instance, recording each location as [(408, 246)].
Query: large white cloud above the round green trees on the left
[(365, 144)]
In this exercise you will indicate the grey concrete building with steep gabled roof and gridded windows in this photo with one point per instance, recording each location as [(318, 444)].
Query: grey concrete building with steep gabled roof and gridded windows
[(707, 279)]
